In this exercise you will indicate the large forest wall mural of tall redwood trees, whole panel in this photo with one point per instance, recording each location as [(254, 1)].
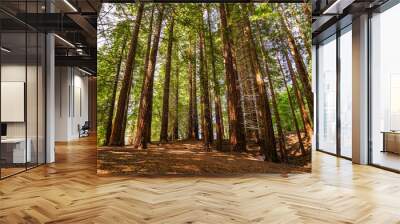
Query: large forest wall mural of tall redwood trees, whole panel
[(204, 89)]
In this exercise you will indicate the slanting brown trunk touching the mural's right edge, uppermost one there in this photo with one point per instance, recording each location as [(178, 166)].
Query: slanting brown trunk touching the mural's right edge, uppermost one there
[(301, 69)]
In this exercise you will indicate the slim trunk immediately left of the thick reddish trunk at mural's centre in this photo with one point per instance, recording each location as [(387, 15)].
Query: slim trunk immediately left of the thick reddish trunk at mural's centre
[(217, 98)]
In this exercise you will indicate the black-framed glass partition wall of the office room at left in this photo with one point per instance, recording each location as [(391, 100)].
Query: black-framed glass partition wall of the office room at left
[(22, 107)]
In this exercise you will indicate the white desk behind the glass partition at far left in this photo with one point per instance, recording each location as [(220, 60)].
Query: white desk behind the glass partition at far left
[(17, 145)]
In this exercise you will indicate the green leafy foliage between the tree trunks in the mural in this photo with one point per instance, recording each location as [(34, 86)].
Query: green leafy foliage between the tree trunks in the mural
[(188, 20)]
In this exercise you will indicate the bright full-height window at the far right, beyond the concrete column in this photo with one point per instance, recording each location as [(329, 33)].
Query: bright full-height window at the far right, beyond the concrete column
[(385, 89)]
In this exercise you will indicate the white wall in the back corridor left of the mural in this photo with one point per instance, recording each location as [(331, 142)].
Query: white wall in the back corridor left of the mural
[(71, 102)]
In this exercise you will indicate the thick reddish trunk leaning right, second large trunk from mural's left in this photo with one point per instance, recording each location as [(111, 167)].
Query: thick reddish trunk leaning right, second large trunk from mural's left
[(144, 106)]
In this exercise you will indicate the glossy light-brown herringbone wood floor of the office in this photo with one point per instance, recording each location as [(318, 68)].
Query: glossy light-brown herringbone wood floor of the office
[(70, 192)]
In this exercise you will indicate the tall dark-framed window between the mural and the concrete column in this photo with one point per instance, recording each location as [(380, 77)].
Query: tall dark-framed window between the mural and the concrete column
[(334, 84)]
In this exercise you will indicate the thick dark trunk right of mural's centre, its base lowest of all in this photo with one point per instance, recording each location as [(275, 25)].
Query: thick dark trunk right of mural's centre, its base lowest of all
[(268, 144)]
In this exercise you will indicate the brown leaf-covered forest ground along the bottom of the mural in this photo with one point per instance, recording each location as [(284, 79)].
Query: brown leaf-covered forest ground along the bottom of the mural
[(190, 158)]
